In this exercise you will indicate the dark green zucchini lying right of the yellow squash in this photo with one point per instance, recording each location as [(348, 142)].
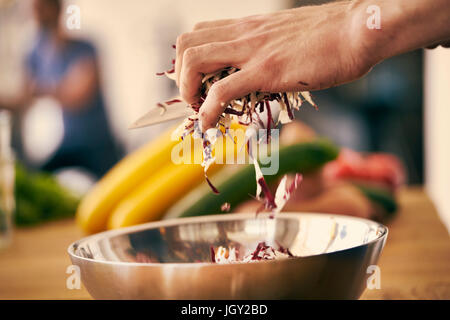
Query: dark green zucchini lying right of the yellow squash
[(237, 186)]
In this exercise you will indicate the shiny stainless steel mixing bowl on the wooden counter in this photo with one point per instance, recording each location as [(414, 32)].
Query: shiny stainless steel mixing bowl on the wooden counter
[(171, 259)]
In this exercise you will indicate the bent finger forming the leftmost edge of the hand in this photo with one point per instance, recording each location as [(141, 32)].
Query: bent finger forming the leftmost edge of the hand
[(198, 38)]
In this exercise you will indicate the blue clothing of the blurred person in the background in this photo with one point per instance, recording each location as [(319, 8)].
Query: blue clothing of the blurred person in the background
[(88, 126)]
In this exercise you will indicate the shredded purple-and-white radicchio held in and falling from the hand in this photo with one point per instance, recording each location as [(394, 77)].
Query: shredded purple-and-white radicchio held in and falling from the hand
[(246, 110)]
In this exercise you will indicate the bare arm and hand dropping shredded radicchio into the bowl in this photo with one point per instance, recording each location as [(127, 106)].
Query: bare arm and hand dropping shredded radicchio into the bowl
[(307, 48)]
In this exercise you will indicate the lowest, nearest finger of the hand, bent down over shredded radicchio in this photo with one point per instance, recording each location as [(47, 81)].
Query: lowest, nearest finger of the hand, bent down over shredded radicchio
[(232, 87)]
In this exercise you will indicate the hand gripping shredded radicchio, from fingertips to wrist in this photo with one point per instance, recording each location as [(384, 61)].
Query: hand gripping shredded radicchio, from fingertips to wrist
[(301, 49)]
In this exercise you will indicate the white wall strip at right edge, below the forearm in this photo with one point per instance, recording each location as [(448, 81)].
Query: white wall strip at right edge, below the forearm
[(437, 129)]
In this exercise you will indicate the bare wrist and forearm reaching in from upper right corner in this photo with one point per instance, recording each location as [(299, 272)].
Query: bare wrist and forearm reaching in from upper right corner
[(405, 25)]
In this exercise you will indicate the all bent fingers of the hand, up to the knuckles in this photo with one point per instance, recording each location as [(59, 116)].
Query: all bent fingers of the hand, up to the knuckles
[(214, 45)]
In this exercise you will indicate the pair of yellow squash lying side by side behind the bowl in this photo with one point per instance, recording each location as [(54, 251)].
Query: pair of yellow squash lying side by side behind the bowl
[(141, 187)]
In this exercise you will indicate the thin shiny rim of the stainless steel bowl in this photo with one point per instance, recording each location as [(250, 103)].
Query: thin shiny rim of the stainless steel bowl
[(215, 218)]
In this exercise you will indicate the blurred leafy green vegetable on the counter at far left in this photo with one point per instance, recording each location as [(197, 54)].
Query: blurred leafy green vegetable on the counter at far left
[(39, 198)]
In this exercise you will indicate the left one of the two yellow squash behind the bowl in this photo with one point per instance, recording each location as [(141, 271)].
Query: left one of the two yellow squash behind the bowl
[(95, 208)]
